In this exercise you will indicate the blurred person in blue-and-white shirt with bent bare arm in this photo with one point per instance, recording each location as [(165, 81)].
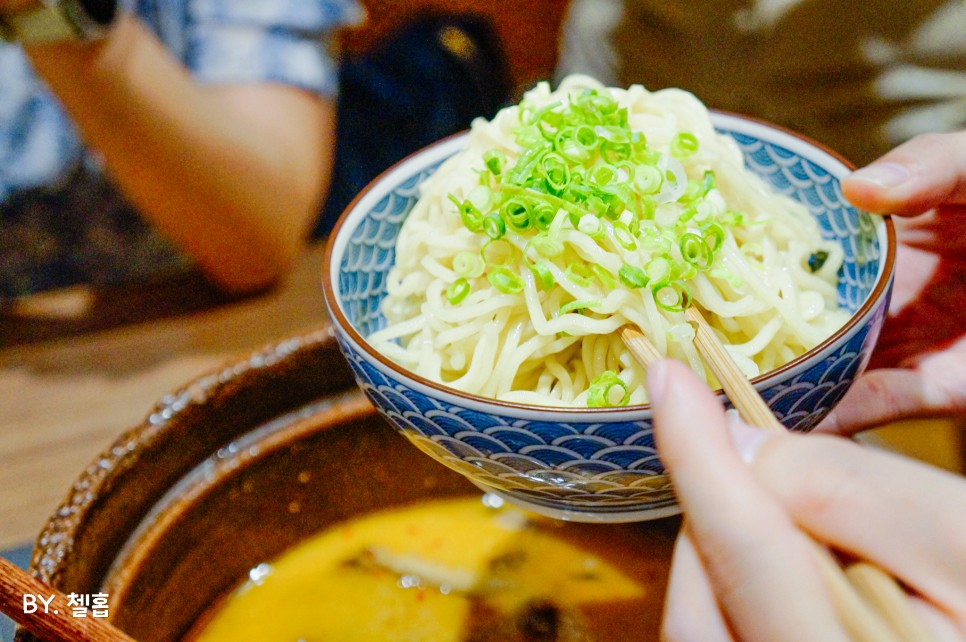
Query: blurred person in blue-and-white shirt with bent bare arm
[(137, 141)]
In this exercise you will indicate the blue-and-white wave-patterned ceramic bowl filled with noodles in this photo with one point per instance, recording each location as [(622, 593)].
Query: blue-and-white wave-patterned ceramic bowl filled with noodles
[(595, 464)]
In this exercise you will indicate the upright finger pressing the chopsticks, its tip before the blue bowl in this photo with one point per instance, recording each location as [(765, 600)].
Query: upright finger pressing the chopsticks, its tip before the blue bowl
[(753, 553)]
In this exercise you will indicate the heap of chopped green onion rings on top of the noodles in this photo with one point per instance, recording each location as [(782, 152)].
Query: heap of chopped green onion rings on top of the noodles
[(581, 170)]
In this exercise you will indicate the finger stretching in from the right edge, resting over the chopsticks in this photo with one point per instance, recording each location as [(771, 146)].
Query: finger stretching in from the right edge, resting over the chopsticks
[(904, 516)]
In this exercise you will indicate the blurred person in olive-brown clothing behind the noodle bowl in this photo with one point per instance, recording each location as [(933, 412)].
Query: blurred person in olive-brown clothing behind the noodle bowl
[(860, 77)]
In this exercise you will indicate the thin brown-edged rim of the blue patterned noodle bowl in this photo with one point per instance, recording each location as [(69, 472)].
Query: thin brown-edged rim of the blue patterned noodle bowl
[(792, 140)]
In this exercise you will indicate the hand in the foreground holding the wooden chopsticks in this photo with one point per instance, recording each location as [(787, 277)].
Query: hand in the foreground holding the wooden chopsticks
[(743, 566)]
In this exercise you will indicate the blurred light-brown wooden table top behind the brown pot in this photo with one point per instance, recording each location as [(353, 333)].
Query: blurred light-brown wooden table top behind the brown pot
[(78, 368)]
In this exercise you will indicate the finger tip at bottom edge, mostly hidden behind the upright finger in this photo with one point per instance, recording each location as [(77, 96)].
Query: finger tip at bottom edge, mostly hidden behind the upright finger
[(691, 612)]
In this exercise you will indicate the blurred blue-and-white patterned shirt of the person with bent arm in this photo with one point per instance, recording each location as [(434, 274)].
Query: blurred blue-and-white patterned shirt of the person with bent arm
[(61, 222)]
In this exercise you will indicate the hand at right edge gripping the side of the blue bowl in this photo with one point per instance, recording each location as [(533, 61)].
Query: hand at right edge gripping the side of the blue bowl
[(918, 368)]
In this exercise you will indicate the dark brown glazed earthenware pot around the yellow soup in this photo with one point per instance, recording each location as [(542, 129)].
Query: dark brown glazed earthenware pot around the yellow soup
[(234, 468)]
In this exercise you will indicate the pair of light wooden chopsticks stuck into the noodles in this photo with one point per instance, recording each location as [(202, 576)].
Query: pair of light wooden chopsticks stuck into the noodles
[(870, 603)]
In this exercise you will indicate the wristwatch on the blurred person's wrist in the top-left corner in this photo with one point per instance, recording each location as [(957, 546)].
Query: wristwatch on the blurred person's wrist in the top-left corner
[(58, 20)]
